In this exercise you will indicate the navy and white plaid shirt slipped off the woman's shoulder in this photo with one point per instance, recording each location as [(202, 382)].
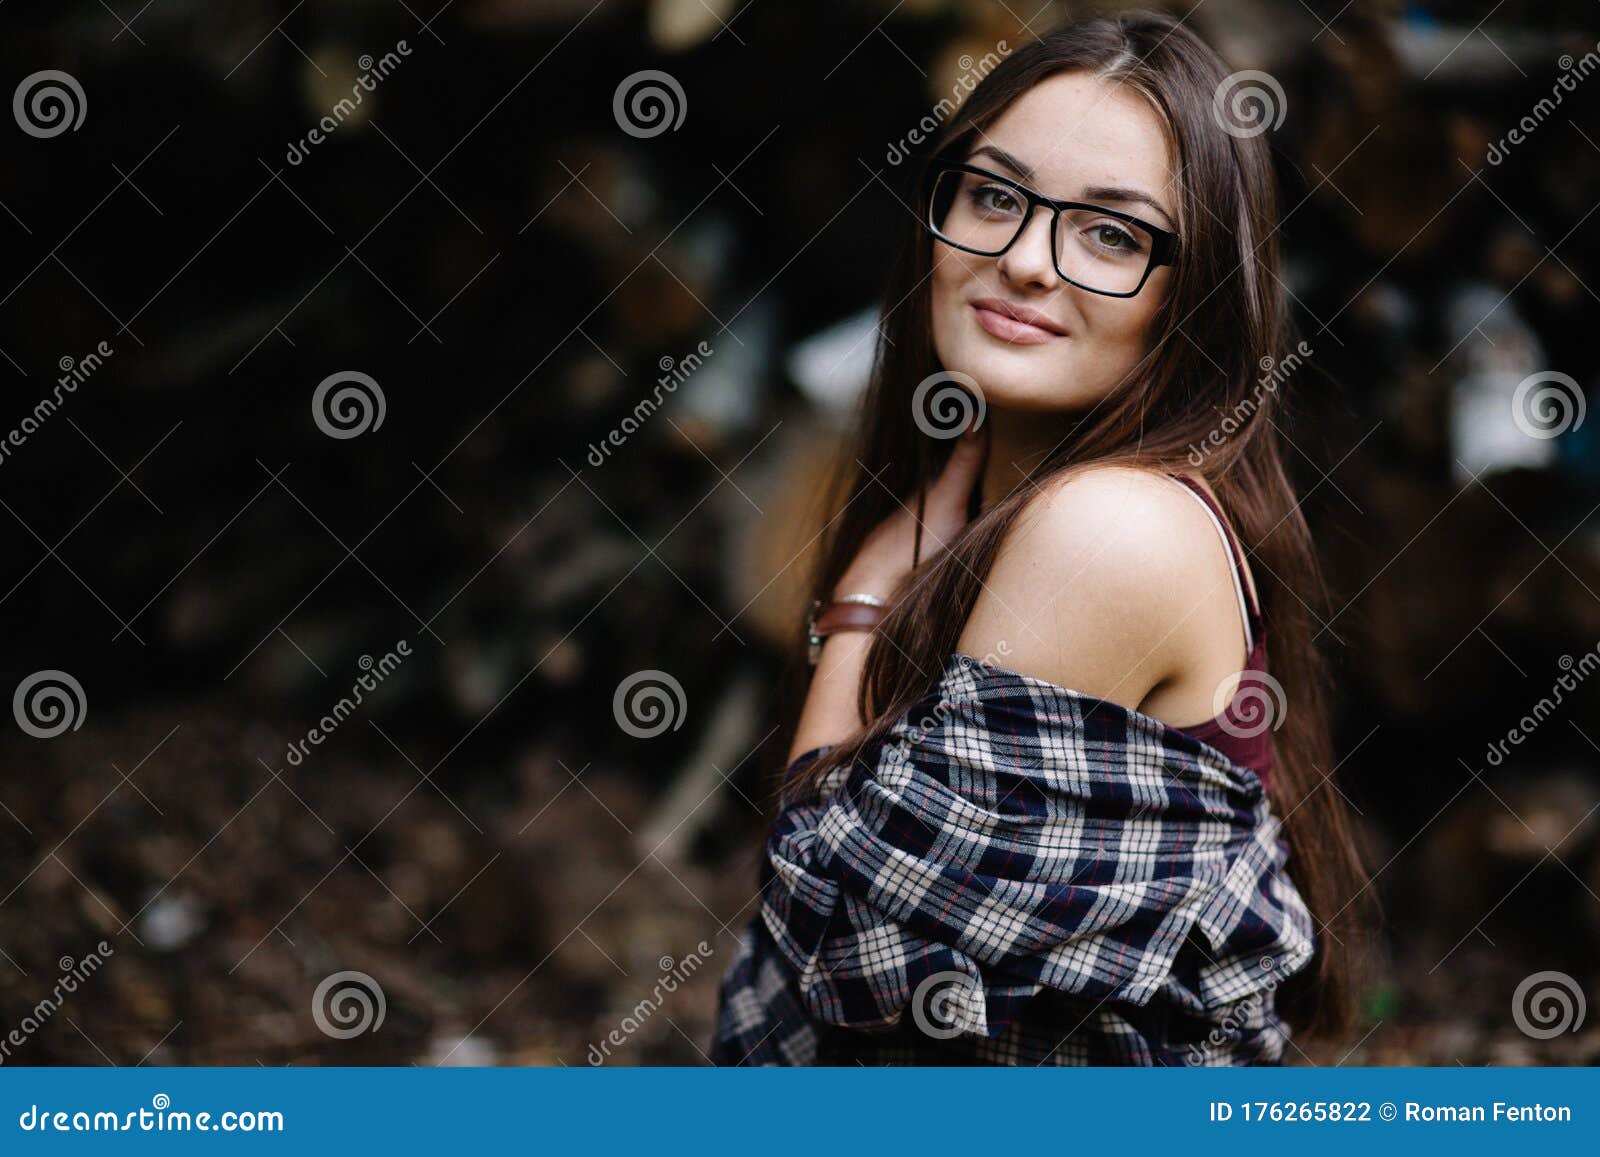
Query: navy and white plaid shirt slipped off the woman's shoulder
[(1022, 876)]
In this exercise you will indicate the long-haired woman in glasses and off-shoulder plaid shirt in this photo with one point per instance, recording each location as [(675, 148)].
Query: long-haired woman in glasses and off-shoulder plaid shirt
[(1113, 839)]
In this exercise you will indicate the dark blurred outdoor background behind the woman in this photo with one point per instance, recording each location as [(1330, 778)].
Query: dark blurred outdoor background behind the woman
[(206, 570)]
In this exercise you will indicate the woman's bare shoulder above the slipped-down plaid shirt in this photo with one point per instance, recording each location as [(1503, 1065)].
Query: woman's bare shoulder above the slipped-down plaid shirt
[(1106, 585)]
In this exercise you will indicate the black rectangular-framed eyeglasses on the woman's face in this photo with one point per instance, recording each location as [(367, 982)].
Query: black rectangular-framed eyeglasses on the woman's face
[(1097, 249)]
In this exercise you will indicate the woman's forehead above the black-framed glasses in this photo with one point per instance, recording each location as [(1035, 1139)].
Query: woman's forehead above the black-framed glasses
[(1076, 130)]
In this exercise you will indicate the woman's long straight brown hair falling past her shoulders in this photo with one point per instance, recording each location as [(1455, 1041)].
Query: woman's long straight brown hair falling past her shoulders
[(1225, 321)]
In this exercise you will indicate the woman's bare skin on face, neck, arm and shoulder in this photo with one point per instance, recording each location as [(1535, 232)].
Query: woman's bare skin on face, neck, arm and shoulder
[(1113, 583)]
